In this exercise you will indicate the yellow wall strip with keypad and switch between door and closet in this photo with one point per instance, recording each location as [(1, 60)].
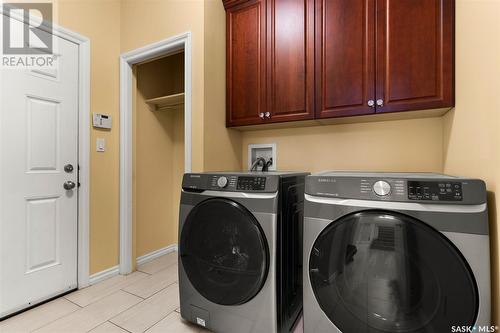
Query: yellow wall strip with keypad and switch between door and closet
[(100, 21)]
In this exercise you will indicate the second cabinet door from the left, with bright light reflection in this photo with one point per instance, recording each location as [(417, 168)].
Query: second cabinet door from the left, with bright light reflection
[(290, 60)]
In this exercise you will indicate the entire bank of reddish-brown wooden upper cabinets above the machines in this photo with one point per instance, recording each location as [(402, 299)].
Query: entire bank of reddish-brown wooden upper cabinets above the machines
[(303, 59)]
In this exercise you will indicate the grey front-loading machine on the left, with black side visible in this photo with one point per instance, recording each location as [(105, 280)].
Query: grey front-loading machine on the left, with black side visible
[(240, 250)]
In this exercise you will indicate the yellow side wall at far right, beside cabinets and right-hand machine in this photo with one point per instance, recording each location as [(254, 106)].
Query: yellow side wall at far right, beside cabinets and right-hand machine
[(472, 129)]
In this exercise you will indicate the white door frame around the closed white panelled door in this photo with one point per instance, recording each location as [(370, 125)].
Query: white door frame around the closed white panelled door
[(83, 140)]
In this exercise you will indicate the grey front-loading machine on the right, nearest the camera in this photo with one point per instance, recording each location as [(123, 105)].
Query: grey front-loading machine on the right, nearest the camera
[(395, 252)]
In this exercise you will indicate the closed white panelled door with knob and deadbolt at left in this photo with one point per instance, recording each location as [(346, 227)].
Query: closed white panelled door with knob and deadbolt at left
[(38, 217)]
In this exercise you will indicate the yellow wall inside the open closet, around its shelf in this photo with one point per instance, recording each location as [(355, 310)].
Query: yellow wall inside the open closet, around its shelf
[(159, 155)]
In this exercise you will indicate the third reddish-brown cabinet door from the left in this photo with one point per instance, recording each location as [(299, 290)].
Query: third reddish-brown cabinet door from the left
[(345, 57)]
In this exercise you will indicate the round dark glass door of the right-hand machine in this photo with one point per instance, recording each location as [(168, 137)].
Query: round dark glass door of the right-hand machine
[(377, 271)]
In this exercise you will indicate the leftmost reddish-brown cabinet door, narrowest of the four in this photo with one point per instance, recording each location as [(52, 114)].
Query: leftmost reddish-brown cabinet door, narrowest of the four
[(246, 62)]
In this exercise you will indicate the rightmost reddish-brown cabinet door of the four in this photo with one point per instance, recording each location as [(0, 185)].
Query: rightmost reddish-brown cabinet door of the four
[(415, 54)]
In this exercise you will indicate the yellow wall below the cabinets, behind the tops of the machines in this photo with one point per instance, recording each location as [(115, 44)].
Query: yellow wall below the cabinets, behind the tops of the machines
[(398, 145)]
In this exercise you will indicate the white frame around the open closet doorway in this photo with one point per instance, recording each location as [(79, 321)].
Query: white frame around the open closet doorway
[(127, 60)]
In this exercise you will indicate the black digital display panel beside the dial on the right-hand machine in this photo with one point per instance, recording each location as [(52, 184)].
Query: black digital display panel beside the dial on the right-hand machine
[(435, 190)]
